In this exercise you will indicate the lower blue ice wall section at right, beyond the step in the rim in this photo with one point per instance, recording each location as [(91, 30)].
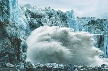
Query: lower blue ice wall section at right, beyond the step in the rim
[(95, 26)]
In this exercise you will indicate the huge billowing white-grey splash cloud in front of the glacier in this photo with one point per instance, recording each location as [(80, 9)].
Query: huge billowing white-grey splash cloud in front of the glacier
[(61, 45)]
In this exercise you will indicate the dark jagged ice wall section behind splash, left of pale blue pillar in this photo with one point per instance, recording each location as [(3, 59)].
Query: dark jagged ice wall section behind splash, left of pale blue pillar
[(37, 17)]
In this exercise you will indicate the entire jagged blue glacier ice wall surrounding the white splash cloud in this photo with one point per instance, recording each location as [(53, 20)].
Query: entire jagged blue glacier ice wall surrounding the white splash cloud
[(16, 24)]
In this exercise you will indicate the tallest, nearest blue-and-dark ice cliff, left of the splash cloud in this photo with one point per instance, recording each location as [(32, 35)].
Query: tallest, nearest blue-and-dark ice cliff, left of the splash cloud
[(13, 31)]
